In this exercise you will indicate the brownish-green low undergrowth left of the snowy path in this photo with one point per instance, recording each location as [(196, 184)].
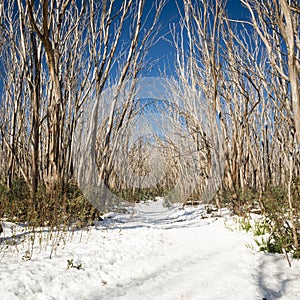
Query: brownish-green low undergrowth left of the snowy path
[(47, 220)]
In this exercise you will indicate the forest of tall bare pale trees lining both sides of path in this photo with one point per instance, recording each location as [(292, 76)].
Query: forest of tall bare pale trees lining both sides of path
[(80, 133)]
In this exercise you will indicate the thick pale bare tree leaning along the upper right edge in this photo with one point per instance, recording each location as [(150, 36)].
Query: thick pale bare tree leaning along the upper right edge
[(277, 24)]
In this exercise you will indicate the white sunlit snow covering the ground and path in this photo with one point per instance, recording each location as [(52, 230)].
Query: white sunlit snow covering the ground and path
[(150, 252)]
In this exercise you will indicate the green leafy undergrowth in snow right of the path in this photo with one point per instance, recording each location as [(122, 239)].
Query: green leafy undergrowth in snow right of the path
[(271, 228)]
